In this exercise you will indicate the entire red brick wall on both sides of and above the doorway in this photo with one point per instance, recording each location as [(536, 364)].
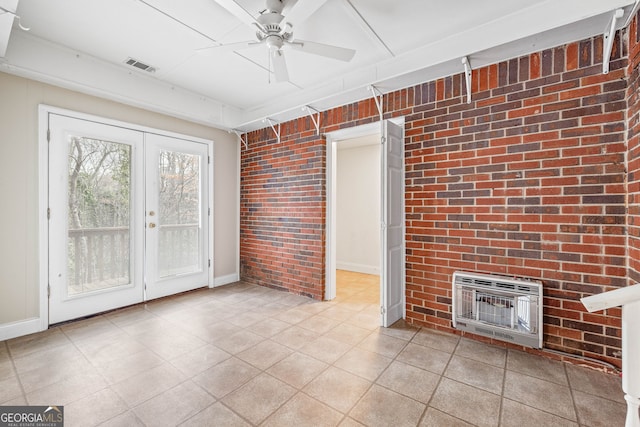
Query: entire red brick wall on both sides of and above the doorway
[(529, 180)]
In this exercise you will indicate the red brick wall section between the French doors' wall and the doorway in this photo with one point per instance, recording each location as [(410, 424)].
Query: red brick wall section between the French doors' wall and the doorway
[(282, 211)]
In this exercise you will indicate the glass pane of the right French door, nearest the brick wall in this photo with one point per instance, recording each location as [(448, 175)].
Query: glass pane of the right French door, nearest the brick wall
[(179, 216)]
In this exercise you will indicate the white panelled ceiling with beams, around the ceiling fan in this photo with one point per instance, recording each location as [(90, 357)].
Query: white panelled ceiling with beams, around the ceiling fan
[(82, 45)]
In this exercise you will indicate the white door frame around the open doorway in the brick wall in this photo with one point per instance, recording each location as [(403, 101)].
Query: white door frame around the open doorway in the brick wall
[(332, 140)]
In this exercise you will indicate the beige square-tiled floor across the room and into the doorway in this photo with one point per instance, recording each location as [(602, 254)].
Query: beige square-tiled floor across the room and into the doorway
[(244, 355)]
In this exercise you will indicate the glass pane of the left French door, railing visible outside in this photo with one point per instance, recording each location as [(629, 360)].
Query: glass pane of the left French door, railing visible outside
[(99, 215)]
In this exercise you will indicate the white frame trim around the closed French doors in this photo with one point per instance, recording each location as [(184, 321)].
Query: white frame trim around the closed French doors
[(43, 193)]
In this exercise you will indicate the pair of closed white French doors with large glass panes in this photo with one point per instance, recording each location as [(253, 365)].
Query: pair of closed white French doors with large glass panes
[(128, 216)]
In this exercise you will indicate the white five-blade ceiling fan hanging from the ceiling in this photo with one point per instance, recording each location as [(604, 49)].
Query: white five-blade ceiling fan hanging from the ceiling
[(276, 32)]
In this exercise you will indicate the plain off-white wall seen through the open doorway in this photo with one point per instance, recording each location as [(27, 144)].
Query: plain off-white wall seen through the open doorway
[(358, 205)]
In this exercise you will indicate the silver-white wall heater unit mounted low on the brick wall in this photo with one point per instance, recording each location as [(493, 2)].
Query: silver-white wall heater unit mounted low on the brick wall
[(498, 307)]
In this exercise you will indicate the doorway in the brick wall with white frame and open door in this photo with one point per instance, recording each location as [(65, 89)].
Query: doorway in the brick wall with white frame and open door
[(389, 185)]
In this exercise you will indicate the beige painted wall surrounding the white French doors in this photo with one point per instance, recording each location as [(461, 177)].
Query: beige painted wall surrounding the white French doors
[(19, 263)]
